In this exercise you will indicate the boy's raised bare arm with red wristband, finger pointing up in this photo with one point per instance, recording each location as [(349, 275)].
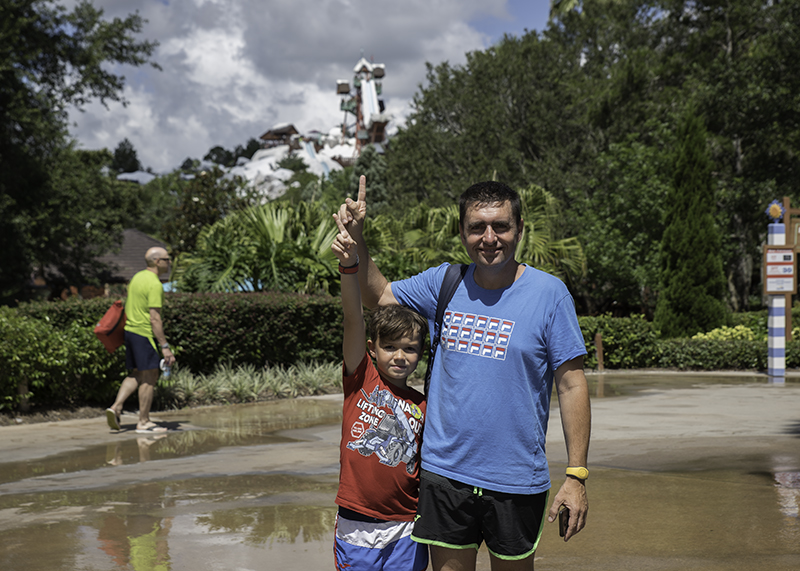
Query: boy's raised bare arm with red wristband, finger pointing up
[(354, 340)]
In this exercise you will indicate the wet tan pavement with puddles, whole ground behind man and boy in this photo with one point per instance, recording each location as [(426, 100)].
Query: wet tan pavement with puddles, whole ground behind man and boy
[(694, 472)]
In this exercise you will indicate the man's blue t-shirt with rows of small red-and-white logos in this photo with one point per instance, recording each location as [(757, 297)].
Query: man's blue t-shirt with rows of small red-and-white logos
[(490, 388)]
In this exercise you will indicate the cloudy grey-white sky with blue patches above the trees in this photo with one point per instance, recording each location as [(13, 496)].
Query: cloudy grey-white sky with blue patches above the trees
[(232, 69)]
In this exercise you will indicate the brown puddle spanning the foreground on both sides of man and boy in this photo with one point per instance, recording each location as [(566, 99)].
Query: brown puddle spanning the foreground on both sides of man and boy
[(652, 521)]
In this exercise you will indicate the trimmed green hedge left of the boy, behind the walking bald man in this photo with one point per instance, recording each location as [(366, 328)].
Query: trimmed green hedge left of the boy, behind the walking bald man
[(50, 346)]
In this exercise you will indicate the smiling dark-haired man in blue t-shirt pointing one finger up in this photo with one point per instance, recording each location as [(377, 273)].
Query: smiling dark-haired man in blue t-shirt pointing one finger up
[(509, 335)]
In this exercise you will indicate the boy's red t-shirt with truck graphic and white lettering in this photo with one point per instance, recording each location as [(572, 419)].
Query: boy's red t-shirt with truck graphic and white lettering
[(381, 440)]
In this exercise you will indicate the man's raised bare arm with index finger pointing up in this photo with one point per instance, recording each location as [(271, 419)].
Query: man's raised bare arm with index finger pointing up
[(376, 290)]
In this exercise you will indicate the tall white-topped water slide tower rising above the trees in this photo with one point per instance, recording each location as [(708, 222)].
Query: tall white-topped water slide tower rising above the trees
[(362, 102)]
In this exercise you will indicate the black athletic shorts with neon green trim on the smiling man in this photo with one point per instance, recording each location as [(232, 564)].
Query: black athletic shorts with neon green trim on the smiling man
[(459, 516)]
